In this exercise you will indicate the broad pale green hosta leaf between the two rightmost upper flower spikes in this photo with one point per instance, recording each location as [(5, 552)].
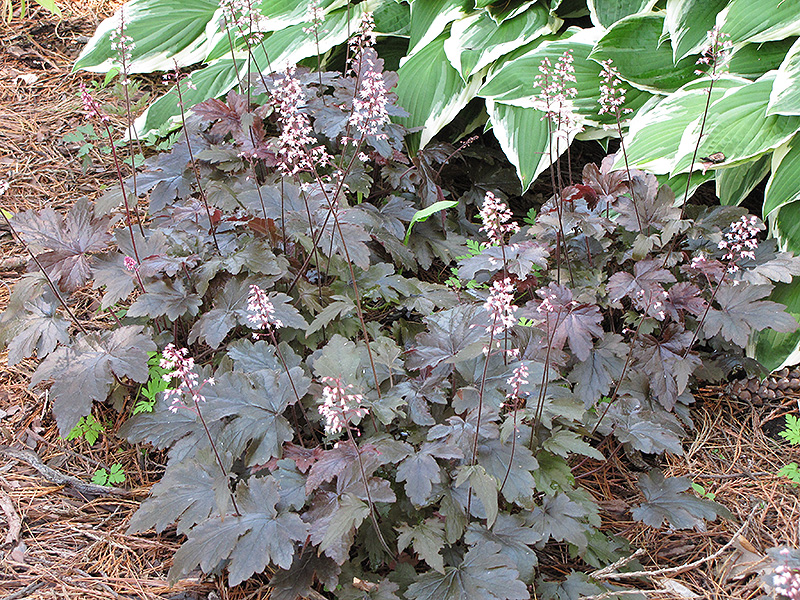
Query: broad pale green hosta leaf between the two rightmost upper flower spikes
[(655, 133)]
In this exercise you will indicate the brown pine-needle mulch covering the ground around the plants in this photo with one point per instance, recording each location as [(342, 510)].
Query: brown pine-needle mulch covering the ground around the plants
[(64, 541)]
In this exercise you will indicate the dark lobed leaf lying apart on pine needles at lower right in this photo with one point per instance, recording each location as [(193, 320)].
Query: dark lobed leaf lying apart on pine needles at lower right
[(667, 499)]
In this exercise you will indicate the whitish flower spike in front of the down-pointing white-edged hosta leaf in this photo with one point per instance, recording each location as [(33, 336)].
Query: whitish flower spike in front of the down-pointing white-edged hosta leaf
[(556, 94)]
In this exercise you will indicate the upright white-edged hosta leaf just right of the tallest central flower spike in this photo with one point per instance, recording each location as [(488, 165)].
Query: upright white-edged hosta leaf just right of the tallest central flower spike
[(431, 91)]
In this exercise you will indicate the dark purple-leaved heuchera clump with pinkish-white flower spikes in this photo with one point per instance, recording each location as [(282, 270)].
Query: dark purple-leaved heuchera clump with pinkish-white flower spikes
[(338, 416)]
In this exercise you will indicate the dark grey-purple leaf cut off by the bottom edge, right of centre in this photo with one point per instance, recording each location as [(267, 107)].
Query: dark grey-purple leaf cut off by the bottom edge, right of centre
[(484, 573)]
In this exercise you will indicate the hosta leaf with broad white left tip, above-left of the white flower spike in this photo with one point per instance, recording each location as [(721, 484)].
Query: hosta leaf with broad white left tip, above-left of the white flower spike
[(477, 41)]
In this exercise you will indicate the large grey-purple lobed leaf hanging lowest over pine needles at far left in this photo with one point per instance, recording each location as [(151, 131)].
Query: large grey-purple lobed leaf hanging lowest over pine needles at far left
[(85, 372)]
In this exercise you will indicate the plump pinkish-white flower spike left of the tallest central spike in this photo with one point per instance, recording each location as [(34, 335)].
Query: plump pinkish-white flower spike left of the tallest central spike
[(296, 132)]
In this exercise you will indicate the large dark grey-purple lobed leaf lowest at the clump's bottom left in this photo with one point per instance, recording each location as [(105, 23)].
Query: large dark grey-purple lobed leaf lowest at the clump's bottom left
[(247, 542)]
